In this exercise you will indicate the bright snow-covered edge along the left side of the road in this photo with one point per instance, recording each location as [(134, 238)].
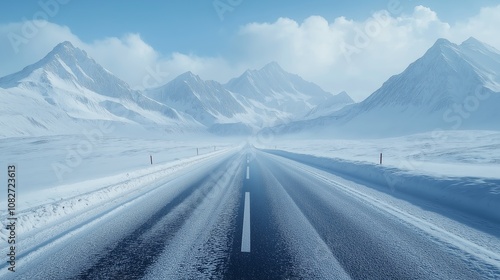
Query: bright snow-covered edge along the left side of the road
[(113, 187)]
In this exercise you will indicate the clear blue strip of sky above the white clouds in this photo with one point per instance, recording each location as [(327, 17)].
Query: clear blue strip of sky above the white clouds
[(195, 26)]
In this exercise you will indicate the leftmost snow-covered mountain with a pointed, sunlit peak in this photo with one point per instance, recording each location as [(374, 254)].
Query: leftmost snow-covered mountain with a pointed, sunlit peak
[(67, 91)]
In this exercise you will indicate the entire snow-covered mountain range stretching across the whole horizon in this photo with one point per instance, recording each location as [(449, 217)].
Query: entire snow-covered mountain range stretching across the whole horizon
[(450, 87)]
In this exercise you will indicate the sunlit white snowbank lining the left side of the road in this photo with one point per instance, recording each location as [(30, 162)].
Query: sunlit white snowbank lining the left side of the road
[(60, 205)]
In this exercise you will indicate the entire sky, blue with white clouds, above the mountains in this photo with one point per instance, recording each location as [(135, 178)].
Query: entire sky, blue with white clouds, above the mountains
[(352, 46)]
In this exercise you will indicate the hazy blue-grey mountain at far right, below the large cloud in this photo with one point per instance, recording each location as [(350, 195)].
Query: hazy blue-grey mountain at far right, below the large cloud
[(445, 75)]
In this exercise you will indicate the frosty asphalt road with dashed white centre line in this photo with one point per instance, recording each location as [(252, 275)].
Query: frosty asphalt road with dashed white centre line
[(253, 215)]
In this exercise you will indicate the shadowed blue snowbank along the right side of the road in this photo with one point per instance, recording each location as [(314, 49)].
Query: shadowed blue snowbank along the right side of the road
[(477, 196)]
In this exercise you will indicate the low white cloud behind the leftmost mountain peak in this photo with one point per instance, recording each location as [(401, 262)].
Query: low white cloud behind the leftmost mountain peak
[(128, 57)]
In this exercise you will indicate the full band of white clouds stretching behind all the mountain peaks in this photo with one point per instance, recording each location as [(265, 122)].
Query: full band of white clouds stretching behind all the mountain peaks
[(341, 54)]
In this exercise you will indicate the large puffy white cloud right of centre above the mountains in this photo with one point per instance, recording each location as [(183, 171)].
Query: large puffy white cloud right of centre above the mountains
[(345, 54)]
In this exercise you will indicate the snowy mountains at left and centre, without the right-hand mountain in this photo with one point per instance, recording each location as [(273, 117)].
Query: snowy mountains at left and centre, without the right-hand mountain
[(68, 91)]
